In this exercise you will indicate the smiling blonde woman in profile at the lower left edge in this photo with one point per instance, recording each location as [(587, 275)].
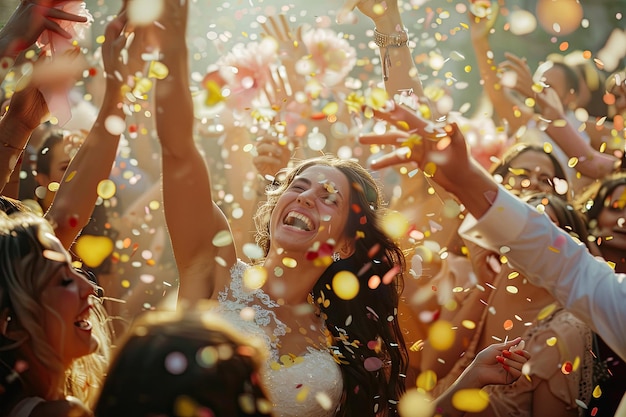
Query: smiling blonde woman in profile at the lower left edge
[(54, 336)]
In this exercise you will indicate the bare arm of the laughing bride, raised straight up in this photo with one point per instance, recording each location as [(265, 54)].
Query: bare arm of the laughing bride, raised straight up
[(193, 220)]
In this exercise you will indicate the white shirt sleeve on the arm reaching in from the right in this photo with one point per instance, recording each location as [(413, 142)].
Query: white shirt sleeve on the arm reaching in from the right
[(550, 258)]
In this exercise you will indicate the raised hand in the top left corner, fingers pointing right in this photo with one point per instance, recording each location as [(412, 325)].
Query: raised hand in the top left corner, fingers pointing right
[(27, 23)]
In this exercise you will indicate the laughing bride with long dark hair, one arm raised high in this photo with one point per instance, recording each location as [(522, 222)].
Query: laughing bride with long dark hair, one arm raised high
[(323, 294)]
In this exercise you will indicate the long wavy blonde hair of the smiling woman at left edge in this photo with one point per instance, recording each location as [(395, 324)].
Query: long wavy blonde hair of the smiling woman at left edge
[(22, 242)]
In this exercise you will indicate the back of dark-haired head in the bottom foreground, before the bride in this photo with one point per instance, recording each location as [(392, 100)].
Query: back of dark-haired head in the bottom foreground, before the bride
[(170, 362)]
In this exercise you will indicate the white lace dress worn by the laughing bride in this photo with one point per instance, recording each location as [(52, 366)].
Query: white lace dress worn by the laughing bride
[(312, 385)]
